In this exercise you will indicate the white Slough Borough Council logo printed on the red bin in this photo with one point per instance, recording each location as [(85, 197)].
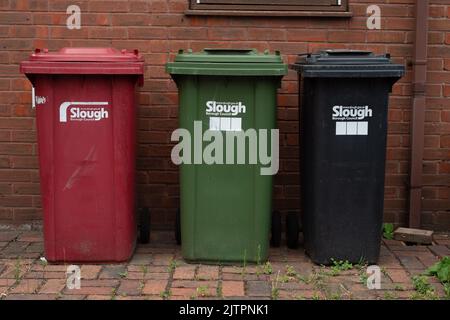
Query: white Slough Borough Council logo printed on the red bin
[(83, 111)]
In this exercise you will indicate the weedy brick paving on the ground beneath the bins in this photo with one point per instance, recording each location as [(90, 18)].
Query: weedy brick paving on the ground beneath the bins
[(158, 272)]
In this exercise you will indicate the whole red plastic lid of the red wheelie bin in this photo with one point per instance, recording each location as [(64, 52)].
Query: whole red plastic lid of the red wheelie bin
[(84, 61)]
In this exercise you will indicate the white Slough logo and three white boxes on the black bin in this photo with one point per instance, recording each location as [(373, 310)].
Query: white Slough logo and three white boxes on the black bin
[(348, 120)]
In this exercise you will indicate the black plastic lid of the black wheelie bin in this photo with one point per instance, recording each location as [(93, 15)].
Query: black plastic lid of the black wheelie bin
[(347, 64)]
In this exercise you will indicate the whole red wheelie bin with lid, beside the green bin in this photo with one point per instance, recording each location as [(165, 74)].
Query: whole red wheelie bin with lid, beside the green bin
[(85, 117)]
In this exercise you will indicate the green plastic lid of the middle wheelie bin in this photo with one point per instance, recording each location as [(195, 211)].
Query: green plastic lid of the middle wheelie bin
[(233, 62)]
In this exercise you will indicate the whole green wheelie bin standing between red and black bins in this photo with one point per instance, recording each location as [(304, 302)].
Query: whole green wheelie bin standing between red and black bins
[(226, 203)]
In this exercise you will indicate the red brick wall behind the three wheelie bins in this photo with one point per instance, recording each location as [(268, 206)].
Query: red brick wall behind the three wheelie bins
[(158, 29)]
